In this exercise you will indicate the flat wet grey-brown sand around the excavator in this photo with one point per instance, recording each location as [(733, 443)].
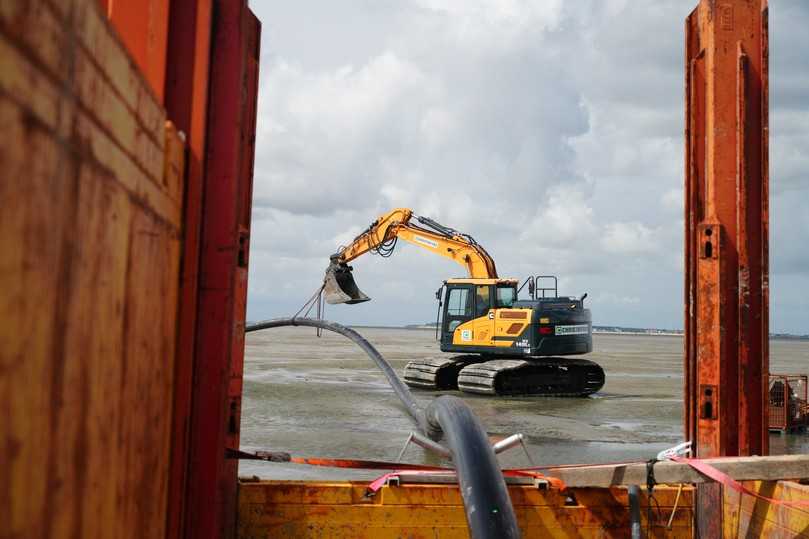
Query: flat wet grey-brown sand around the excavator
[(323, 397)]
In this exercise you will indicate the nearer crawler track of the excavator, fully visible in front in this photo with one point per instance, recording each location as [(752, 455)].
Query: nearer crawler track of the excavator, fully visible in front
[(546, 377)]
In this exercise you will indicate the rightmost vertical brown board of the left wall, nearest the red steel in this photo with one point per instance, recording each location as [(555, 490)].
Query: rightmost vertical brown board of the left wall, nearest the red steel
[(147, 378)]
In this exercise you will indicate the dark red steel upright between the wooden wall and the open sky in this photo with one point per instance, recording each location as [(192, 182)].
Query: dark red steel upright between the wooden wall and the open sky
[(224, 243)]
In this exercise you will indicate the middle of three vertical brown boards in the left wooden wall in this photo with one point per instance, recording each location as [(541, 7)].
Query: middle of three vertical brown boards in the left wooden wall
[(93, 288)]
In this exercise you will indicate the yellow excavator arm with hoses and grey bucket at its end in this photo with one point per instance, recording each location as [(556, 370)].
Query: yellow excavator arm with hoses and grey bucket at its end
[(381, 237)]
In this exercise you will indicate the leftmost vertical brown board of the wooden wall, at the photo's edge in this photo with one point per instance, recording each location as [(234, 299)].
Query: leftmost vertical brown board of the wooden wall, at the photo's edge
[(38, 200)]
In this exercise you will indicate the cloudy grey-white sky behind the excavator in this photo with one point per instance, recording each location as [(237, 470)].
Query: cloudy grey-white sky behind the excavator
[(550, 130)]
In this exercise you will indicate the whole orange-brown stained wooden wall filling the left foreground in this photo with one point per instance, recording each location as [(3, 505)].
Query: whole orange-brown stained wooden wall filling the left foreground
[(90, 223)]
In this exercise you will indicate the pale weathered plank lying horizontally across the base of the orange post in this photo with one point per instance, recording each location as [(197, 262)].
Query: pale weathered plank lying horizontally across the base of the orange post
[(739, 468)]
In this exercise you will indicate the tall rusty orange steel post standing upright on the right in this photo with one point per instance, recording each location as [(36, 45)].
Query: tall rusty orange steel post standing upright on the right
[(726, 235)]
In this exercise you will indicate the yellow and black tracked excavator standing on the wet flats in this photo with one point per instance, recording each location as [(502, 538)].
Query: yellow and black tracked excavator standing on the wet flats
[(503, 345)]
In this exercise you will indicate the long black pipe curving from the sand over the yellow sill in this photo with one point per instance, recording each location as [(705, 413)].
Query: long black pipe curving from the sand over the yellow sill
[(489, 512)]
